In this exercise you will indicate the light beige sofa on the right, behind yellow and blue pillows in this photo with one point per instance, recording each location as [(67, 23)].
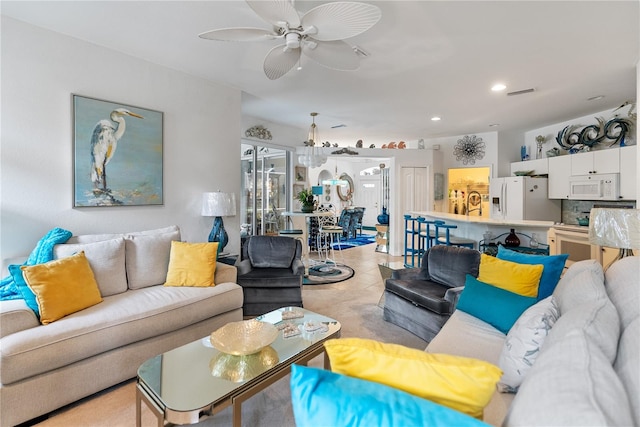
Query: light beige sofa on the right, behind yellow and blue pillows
[(587, 371)]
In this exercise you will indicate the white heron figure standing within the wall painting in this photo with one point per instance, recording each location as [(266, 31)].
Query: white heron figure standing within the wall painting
[(104, 143)]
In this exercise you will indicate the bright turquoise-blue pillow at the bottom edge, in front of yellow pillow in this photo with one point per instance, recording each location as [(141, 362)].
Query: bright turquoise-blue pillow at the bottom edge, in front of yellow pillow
[(324, 398)]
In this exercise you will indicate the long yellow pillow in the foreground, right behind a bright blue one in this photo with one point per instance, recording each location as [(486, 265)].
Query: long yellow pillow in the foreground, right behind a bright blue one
[(460, 383)]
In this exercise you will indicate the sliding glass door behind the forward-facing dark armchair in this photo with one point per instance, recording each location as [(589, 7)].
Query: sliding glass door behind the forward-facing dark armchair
[(264, 189)]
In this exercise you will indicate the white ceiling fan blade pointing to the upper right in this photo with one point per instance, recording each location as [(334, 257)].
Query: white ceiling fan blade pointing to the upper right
[(341, 20)]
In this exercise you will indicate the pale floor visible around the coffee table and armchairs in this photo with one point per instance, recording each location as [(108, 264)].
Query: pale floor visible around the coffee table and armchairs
[(354, 302)]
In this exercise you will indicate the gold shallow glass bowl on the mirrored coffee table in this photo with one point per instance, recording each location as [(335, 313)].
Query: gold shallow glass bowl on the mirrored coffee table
[(245, 337)]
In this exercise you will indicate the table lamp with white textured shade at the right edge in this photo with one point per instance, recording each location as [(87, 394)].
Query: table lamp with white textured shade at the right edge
[(615, 228)]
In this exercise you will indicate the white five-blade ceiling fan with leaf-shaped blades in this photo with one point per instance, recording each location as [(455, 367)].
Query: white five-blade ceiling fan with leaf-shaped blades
[(319, 33)]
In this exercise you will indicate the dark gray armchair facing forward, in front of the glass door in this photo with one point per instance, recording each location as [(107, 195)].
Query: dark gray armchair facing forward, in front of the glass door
[(270, 273)]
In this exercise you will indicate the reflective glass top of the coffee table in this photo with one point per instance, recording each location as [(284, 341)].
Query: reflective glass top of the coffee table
[(196, 375)]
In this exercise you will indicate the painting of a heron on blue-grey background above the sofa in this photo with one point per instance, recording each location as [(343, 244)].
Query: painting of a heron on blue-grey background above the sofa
[(118, 152)]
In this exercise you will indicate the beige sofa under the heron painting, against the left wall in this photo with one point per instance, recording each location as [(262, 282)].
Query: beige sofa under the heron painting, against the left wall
[(44, 367)]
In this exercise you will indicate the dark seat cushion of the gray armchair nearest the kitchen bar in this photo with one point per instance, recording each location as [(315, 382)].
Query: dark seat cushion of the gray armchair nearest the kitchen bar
[(427, 294)]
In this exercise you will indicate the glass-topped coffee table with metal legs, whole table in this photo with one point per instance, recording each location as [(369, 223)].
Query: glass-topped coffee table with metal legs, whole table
[(189, 383)]
